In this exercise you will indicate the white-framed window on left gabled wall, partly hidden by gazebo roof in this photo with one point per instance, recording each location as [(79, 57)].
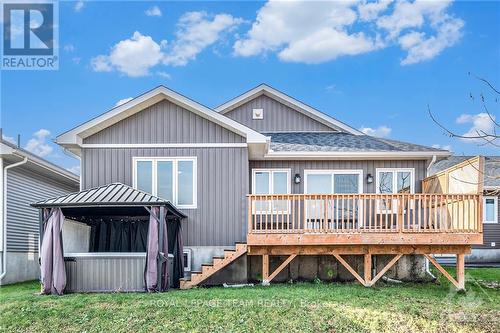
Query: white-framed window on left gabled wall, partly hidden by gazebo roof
[(173, 179)]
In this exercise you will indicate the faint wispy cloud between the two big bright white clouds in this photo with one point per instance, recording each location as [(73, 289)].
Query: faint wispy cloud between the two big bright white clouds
[(196, 31)]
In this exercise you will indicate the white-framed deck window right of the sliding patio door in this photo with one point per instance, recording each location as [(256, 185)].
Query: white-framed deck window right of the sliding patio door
[(392, 181)]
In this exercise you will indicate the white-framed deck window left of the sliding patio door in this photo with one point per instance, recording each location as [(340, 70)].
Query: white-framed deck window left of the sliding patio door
[(271, 181)]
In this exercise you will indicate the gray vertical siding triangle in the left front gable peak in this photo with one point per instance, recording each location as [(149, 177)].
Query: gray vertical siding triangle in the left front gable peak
[(164, 122)]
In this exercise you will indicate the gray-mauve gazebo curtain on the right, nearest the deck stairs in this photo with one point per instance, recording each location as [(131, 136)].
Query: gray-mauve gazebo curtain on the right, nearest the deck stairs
[(156, 271)]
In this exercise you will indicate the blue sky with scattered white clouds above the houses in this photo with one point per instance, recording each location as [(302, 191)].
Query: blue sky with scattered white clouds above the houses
[(375, 66)]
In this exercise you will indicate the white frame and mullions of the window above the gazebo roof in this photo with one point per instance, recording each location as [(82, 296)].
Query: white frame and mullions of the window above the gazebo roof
[(175, 161)]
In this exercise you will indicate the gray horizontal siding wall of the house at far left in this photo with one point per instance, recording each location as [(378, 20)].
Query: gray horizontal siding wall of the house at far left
[(23, 188)]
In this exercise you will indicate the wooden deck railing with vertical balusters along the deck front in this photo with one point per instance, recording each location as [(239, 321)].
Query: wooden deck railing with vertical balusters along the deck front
[(364, 213)]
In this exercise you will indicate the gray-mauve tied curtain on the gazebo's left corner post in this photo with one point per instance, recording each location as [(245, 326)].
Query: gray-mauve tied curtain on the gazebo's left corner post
[(53, 272)]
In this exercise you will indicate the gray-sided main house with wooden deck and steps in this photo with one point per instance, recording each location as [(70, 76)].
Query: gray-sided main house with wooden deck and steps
[(254, 158)]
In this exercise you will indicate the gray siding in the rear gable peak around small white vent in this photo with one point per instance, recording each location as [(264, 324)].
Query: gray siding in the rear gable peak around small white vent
[(277, 117)]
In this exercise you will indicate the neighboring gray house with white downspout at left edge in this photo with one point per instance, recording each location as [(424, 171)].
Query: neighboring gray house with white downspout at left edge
[(25, 178)]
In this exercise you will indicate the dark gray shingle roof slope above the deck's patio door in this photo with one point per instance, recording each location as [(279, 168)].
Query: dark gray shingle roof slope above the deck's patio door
[(340, 142)]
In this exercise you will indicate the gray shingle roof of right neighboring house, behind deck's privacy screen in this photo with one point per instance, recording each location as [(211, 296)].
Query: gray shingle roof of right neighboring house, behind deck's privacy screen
[(491, 168)]
